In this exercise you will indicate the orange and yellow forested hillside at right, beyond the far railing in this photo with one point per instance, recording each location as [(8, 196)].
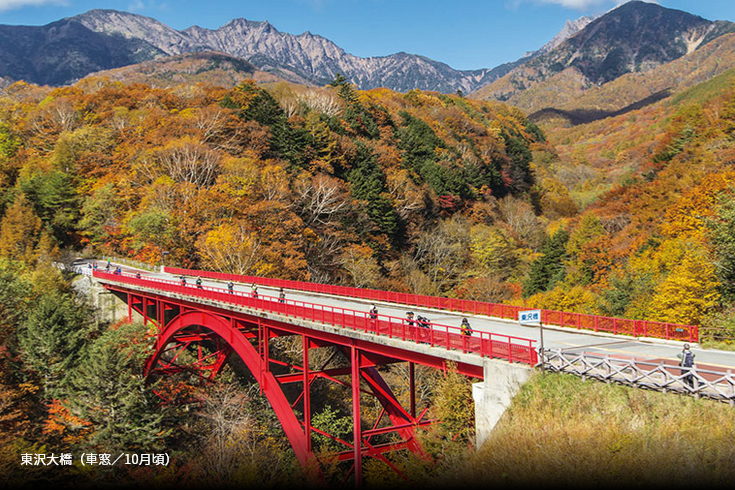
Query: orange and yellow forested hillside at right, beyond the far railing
[(654, 238)]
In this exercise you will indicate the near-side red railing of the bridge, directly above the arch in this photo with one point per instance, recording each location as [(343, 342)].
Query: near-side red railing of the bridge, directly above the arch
[(485, 344)]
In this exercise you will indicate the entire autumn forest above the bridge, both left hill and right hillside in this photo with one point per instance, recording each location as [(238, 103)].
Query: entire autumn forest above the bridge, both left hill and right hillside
[(417, 192)]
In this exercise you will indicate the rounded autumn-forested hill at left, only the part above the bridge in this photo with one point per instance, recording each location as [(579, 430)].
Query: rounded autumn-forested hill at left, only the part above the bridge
[(369, 188)]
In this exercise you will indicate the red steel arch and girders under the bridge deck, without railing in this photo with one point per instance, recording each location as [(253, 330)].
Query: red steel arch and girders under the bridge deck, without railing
[(183, 325)]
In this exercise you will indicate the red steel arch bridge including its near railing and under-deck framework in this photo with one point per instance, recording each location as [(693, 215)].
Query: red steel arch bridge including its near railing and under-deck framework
[(212, 324)]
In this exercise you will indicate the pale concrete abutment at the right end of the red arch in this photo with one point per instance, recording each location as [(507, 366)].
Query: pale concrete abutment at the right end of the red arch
[(493, 396)]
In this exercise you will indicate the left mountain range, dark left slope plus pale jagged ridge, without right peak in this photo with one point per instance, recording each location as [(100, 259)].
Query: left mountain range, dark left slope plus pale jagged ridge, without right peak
[(67, 50)]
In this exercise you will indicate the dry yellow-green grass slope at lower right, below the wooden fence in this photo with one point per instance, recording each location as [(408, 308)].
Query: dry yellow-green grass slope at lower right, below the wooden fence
[(561, 430)]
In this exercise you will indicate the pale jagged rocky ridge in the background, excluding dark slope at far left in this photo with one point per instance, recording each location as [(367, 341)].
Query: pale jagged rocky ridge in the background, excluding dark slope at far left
[(307, 56)]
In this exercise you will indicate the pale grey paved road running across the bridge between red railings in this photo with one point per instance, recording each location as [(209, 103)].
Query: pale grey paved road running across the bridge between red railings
[(567, 339)]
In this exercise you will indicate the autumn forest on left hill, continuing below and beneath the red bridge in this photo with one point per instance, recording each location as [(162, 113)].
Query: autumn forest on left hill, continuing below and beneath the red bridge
[(402, 191)]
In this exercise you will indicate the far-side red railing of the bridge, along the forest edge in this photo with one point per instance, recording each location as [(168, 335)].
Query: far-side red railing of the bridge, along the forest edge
[(621, 326)]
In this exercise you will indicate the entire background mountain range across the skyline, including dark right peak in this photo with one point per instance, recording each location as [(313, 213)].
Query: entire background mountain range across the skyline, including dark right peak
[(589, 51)]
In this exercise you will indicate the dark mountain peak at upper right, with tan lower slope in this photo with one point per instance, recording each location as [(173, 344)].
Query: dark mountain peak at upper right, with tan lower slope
[(633, 38)]
